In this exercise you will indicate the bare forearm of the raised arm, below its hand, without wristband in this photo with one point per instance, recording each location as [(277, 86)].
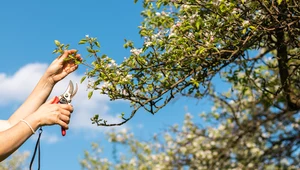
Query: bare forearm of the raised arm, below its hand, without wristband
[(37, 97)]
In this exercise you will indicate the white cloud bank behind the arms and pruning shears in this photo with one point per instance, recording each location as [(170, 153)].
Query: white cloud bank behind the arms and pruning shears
[(18, 86)]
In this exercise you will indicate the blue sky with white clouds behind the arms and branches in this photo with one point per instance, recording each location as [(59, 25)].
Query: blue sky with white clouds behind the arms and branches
[(28, 30)]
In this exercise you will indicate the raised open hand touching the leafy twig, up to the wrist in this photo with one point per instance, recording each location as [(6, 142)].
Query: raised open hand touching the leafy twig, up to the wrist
[(62, 66)]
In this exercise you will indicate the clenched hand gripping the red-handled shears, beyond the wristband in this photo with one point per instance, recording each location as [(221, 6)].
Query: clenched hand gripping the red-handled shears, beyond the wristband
[(50, 114)]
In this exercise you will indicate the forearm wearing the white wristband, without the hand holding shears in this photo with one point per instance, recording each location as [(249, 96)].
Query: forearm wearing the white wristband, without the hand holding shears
[(12, 138)]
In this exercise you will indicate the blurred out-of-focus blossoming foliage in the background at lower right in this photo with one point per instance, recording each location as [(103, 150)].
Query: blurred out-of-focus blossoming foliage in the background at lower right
[(243, 131)]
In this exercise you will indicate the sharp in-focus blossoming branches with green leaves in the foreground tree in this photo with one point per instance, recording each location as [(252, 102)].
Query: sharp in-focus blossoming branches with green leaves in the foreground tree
[(188, 42)]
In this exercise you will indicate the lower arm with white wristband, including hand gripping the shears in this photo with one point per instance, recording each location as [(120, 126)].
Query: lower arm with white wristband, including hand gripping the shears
[(48, 114)]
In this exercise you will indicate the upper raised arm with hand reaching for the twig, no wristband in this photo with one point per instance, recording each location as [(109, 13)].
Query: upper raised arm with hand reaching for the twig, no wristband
[(57, 70)]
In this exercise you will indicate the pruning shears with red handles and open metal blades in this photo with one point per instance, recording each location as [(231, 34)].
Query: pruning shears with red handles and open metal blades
[(66, 98)]
